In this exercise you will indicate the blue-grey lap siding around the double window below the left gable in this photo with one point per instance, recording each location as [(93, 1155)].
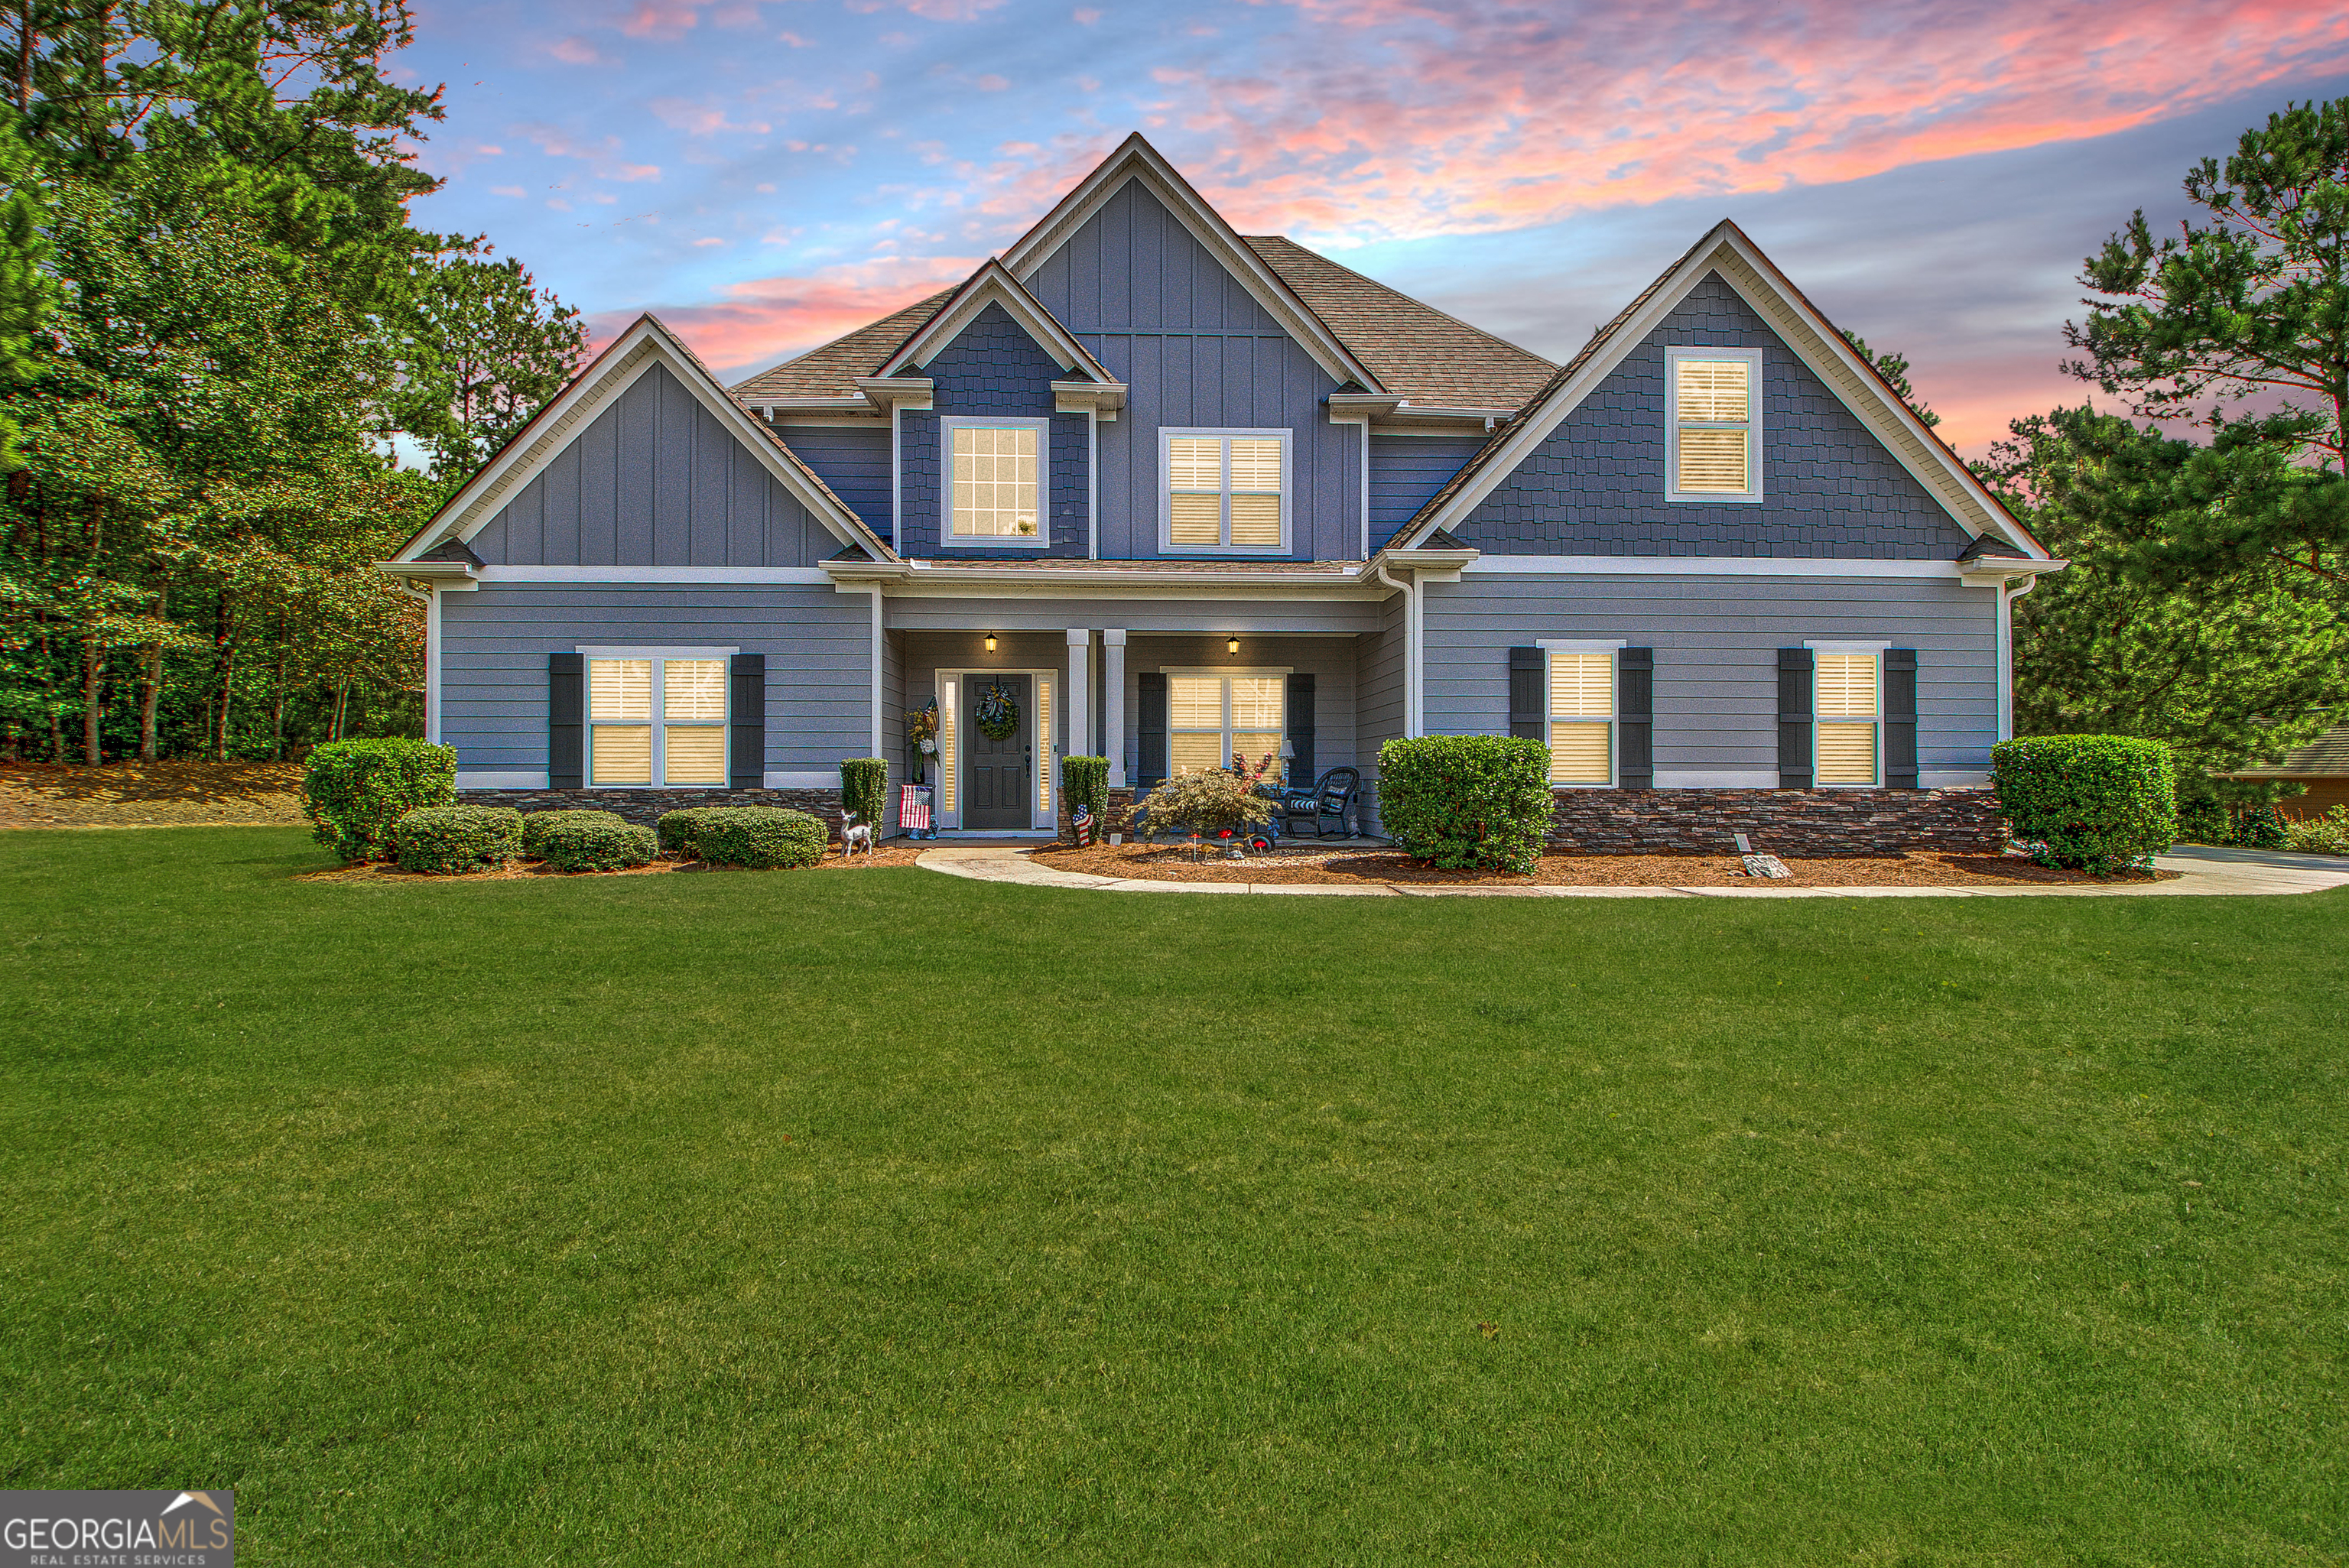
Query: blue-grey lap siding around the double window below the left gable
[(497, 642)]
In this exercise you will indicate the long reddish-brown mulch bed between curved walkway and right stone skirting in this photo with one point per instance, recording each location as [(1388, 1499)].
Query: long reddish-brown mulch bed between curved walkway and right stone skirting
[(1338, 867)]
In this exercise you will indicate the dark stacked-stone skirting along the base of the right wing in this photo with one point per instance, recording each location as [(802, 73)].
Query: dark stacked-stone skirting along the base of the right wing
[(1777, 820)]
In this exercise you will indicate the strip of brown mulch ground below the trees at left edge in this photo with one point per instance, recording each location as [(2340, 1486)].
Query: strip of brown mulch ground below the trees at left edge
[(149, 795)]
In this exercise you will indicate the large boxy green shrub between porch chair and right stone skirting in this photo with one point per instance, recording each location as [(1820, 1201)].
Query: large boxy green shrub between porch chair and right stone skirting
[(1467, 802)]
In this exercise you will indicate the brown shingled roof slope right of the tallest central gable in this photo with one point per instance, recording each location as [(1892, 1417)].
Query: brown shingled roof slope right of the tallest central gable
[(1420, 353)]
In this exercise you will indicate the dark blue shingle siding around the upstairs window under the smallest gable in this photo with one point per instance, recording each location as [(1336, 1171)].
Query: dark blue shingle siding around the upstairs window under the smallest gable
[(995, 370)]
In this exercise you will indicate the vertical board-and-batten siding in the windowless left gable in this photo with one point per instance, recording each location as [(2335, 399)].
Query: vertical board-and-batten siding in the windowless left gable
[(654, 480)]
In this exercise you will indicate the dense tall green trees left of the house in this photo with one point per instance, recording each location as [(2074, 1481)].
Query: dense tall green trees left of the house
[(217, 320)]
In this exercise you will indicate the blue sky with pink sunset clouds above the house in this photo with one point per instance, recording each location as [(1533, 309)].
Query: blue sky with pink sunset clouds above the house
[(767, 175)]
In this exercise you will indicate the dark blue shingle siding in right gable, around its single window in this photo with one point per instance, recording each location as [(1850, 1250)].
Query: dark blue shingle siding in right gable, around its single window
[(1829, 487)]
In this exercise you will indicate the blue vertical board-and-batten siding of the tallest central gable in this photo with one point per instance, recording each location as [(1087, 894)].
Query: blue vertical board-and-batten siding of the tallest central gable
[(1194, 349)]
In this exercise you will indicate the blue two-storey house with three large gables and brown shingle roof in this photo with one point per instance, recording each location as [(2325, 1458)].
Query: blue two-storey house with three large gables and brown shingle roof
[(1185, 494)]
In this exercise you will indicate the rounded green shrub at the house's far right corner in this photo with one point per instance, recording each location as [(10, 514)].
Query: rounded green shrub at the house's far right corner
[(2094, 802)]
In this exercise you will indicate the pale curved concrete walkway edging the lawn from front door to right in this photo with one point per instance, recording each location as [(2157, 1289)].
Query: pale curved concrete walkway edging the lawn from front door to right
[(2202, 872)]
